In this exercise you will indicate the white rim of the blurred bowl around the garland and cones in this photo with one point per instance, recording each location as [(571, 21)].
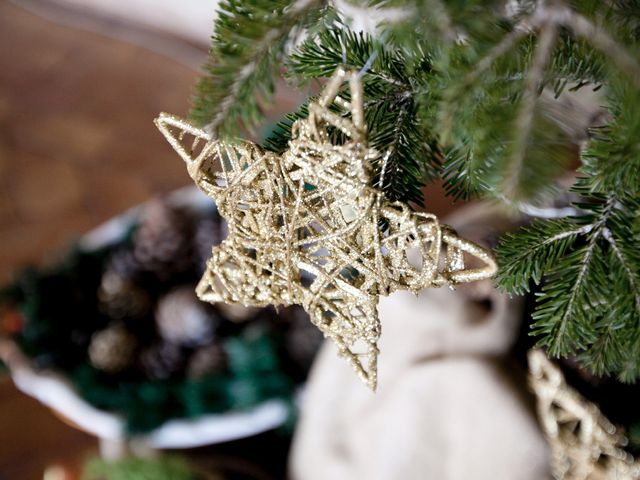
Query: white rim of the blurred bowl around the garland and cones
[(56, 392)]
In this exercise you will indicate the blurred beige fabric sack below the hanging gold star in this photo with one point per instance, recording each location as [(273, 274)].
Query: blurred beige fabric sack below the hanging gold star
[(449, 406)]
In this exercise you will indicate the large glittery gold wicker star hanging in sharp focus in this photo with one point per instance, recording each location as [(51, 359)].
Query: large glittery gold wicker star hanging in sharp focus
[(306, 227)]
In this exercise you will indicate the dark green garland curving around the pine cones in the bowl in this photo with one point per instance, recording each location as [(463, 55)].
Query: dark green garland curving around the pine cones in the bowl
[(60, 313)]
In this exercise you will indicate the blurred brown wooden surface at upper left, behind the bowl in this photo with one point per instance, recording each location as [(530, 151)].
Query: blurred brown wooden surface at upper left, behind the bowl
[(77, 142)]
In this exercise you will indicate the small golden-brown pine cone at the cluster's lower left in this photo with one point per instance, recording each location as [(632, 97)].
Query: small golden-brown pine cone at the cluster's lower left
[(112, 349)]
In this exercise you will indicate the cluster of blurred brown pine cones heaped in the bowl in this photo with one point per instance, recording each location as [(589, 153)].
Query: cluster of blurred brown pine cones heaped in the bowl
[(157, 326)]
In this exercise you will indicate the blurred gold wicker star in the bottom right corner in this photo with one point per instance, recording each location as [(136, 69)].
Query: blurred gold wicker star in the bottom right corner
[(584, 444)]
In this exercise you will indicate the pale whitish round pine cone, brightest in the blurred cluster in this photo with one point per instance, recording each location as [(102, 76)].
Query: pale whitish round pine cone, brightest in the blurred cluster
[(183, 319)]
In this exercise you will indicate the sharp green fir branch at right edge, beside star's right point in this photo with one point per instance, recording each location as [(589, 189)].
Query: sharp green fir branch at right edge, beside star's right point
[(590, 299)]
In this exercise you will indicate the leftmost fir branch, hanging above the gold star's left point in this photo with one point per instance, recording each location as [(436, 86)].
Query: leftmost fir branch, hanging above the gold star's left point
[(248, 45)]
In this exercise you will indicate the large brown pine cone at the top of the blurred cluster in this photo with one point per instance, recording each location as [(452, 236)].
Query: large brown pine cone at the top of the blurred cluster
[(162, 242)]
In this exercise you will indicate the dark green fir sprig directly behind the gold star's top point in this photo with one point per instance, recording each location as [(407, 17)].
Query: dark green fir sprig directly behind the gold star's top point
[(391, 84)]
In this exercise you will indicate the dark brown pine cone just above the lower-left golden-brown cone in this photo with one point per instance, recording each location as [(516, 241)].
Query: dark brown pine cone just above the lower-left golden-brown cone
[(120, 298)]
